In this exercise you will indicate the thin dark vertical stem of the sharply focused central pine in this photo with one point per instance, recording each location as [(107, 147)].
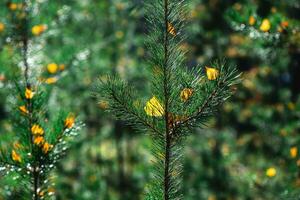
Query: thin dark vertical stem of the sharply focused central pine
[(166, 95)]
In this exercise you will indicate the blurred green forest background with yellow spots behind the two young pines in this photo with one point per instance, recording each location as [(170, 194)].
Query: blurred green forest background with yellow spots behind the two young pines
[(248, 151)]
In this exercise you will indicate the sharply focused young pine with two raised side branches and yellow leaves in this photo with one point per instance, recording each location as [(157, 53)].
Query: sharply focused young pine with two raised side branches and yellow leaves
[(182, 99)]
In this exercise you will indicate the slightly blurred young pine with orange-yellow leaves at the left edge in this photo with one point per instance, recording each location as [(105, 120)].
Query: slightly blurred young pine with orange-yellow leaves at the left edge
[(39, 140)]
